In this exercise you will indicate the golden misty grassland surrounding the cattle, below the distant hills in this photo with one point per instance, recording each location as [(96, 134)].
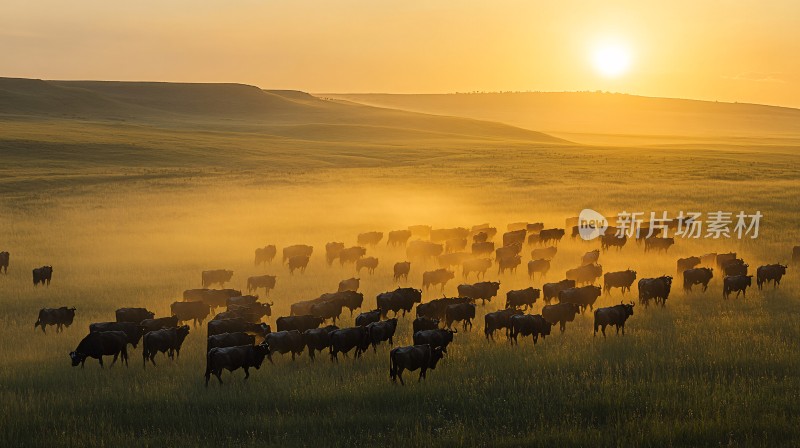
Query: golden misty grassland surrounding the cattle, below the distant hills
[(129, 214)]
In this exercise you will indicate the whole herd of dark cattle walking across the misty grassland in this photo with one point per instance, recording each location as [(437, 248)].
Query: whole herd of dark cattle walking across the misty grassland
[(311, 325)]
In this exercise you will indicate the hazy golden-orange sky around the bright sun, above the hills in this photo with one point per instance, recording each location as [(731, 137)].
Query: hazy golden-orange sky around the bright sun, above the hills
[(720, 50)]
